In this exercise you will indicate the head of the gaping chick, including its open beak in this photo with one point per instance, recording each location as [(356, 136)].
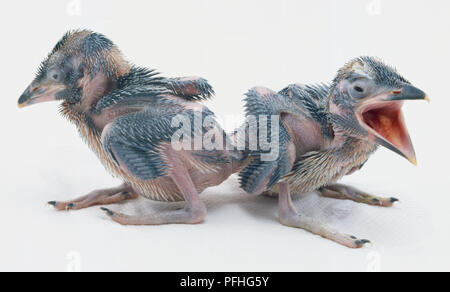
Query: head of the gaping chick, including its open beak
[(366, 102)]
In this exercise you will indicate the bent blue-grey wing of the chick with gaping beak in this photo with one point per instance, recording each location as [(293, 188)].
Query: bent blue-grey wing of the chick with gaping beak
[(308, 103)]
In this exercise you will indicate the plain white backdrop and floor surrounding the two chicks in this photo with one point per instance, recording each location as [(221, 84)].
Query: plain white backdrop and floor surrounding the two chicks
[(236, 45)]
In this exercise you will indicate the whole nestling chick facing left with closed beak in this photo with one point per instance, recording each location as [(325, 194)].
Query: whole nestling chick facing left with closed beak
[(125, 115)]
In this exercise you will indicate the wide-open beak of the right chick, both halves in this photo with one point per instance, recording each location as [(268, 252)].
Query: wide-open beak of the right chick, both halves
[(382, 117)]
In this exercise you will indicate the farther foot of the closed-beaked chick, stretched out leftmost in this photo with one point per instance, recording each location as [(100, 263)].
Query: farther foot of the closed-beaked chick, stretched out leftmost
[(98, 197)]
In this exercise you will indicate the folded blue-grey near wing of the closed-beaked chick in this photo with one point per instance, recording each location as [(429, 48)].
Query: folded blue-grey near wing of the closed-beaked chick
[(136, 142)]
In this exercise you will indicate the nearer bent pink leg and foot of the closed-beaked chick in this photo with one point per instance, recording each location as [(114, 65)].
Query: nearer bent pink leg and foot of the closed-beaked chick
[(193, 213)]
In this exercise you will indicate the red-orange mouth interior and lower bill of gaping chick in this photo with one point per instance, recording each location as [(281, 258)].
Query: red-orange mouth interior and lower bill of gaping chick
[(385, 121)]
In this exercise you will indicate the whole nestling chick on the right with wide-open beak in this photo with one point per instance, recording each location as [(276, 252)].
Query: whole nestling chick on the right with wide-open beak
[(327, 132)]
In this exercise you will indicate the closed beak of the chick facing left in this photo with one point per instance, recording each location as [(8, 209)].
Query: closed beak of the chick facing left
[(37, 93)]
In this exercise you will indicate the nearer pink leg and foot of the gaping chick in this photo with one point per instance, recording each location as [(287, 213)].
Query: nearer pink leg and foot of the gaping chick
[(289, 217)]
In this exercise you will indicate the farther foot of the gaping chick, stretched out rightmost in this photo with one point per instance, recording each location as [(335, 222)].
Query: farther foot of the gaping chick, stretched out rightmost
[(343, 192)]
